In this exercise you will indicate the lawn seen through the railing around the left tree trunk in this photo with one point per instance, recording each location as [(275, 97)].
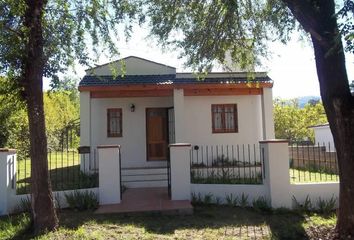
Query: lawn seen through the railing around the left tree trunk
[(64, 170)]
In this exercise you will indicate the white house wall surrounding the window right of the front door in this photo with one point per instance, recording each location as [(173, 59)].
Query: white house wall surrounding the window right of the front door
[(198, 120)]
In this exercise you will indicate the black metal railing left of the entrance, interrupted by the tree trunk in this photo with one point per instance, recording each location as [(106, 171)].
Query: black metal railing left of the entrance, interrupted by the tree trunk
[(68, 169)]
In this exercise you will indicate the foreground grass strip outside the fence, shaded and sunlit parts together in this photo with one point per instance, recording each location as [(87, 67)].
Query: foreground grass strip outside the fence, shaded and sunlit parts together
[(208, 222)]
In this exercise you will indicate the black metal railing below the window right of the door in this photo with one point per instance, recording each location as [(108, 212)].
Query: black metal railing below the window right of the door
[(226, 164)]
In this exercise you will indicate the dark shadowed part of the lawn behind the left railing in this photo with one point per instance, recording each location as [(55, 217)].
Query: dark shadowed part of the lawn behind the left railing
[(65, 178)]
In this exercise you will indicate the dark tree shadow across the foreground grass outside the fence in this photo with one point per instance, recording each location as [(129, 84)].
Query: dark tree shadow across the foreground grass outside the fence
[(285, 225)]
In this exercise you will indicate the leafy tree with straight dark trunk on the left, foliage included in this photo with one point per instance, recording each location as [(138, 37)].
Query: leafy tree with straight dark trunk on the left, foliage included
[(41, 38)]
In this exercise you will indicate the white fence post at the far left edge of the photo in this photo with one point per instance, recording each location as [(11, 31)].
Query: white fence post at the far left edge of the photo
[(7, 179)]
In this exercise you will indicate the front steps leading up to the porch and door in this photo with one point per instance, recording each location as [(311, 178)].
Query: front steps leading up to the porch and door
[(146, 177)]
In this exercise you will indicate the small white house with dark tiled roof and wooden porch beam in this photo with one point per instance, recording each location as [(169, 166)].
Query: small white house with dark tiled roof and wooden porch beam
[(151, 106)]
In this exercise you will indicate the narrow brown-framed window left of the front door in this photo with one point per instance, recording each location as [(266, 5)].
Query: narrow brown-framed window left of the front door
[(114, 122)]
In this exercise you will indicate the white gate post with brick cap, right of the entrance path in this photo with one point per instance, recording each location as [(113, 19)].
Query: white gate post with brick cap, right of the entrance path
[(180, 171)]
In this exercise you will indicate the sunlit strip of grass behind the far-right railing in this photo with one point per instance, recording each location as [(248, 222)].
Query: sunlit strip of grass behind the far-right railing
[(303, 176)]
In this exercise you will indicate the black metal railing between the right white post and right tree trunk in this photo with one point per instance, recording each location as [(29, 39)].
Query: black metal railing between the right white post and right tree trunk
[(313, 163)]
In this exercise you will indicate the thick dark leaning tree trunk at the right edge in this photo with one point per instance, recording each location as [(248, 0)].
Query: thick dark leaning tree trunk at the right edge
[(317, 17)]
